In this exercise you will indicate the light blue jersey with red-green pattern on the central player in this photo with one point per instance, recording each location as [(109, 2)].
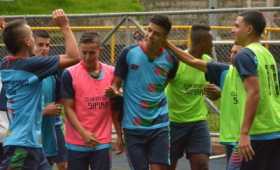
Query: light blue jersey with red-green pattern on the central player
[(145, 105)]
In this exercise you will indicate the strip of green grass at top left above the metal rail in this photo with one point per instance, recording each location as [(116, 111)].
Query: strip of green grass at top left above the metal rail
[(25, 7)]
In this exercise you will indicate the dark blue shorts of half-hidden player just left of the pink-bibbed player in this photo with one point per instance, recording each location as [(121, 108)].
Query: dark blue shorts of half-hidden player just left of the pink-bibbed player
[(61, 148)]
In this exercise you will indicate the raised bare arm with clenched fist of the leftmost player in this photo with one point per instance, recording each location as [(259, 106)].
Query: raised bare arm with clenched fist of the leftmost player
[(71, 49)]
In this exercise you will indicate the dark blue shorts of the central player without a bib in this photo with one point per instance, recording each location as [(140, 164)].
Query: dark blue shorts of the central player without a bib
[(146, 147)]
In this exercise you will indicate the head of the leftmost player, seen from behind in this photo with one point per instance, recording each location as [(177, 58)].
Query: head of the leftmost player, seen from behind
[(17, 36)]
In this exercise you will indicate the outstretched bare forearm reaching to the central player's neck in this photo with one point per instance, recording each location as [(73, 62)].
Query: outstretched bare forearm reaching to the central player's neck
[(187, 58)]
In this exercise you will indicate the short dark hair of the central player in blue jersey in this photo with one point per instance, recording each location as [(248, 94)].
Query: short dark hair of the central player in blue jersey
[(162, 21)]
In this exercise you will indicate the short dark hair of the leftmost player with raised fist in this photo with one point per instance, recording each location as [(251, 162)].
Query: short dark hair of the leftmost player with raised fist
[(12, 35)]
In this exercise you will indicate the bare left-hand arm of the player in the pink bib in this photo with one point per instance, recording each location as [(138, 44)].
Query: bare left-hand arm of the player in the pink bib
[(87, 136)]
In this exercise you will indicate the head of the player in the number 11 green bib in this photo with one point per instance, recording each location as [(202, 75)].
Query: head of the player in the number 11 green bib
[(247, 25)]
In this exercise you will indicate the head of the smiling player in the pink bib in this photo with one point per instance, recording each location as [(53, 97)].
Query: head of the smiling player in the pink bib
[(90, 48)]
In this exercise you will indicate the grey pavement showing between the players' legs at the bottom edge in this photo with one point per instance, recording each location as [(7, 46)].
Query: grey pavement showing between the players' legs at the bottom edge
[(120, 163)]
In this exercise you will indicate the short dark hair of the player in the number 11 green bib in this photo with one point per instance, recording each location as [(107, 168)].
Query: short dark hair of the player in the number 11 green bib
[(256, 19)]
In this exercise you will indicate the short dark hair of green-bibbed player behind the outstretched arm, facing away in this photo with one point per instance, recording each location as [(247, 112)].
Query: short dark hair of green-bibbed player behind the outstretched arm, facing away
[(198, 33)]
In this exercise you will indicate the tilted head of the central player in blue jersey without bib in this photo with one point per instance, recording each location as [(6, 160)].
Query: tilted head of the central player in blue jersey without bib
[(157, 31)]
